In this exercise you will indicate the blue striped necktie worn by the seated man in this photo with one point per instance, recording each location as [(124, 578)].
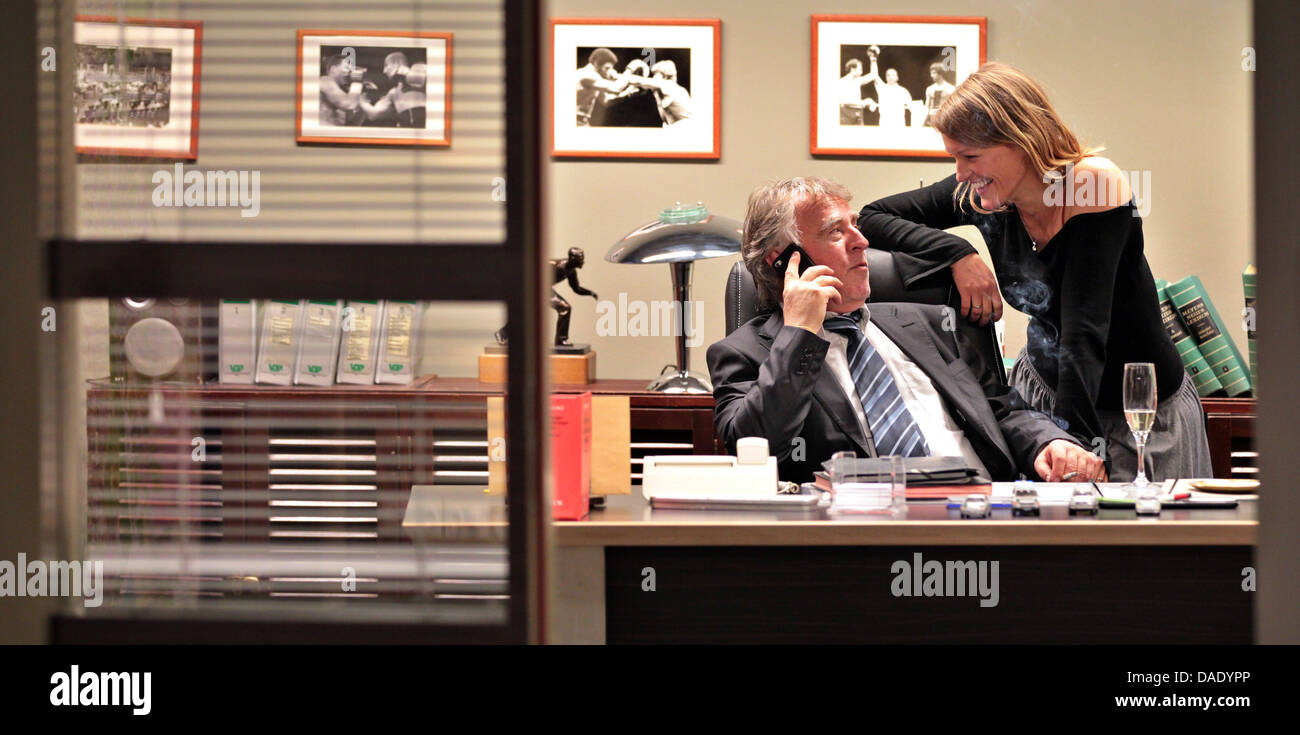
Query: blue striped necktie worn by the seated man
[(892, 426)]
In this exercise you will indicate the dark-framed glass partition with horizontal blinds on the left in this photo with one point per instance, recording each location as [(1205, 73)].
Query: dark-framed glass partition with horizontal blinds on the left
[(293, 427)]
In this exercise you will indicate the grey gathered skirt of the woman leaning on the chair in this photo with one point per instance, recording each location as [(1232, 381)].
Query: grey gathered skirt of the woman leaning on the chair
[(1176, 448)]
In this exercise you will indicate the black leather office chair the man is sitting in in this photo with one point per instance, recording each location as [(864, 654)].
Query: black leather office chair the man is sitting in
[(981, 343)]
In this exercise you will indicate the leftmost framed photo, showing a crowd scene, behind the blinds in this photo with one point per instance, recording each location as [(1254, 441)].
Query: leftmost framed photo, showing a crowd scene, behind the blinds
[(151, 110)]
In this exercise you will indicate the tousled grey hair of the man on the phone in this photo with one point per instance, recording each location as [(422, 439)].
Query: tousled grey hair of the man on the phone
[(772, 226)]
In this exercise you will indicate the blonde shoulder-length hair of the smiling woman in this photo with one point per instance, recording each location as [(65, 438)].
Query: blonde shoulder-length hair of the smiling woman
[(1002, 105)]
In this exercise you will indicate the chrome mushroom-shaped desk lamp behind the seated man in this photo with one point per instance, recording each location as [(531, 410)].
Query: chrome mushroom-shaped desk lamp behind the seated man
[(679, 237)]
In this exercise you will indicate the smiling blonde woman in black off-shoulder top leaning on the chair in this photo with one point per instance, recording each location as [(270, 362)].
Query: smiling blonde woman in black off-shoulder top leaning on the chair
[(1067, 243)]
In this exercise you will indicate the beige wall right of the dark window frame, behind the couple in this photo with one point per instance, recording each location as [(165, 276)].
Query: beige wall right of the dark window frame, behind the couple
[(1159, 83)]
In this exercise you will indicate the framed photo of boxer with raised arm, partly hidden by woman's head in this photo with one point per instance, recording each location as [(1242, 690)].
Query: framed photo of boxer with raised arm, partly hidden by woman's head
[(878, 79)]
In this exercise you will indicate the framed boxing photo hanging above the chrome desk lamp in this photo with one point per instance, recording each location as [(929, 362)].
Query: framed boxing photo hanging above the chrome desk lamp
[(636, 88)]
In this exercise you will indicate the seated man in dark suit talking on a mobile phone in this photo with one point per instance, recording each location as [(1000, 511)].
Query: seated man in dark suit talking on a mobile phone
[(825, 374)]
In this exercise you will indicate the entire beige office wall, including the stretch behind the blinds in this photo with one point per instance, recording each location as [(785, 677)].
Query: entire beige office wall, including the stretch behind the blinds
[(1159, 83)]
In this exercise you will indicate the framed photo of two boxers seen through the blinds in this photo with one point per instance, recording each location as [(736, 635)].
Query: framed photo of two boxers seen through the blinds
[(361, 88)]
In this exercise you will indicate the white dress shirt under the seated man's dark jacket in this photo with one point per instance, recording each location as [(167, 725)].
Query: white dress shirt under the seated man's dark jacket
[(943, 435)]
